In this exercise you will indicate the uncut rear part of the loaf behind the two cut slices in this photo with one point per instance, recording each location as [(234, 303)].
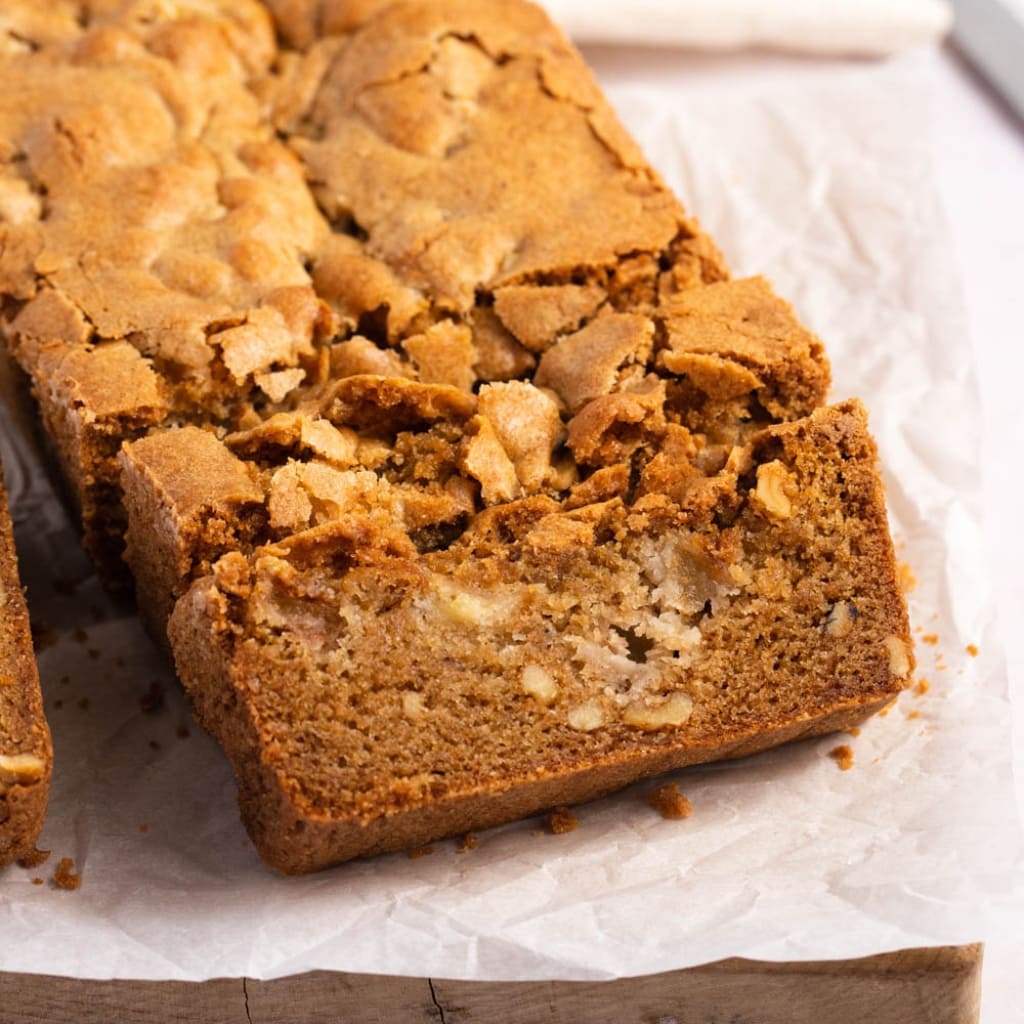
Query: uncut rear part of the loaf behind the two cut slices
[(161, 230)]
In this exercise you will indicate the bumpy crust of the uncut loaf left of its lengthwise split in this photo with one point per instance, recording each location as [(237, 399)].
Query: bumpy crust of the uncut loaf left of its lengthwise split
[(153, 232)]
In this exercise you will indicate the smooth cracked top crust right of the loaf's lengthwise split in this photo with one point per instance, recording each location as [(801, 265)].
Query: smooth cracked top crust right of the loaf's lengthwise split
[(428, 94)]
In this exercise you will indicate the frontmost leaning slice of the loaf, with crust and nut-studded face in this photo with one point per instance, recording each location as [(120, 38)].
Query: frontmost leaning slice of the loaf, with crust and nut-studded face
[(373, 698)]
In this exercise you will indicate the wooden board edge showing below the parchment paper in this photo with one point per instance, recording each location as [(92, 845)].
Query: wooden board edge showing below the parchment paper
[(915, 987)]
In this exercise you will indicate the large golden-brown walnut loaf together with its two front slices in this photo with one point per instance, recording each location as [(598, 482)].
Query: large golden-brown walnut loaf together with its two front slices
[(459, 476)]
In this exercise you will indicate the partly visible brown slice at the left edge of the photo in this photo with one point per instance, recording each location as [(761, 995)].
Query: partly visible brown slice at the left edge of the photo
[(26, 754)]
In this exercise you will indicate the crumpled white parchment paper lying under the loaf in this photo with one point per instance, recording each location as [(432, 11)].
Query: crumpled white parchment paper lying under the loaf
[(819, 177)]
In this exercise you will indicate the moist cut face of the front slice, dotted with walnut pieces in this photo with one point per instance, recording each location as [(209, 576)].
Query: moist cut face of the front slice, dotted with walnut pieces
[(544, 637)]
